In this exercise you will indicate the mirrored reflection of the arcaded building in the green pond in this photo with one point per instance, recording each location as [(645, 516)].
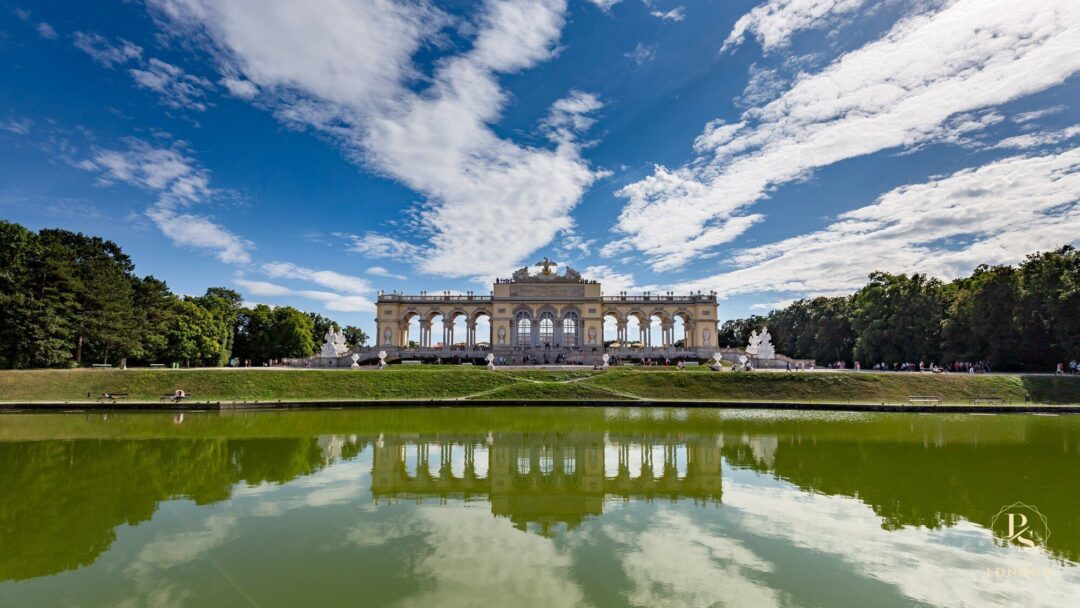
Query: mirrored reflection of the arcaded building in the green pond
[(544, 480)]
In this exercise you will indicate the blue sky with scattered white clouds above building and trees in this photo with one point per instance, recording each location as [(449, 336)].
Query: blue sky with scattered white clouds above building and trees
[(312, 154)]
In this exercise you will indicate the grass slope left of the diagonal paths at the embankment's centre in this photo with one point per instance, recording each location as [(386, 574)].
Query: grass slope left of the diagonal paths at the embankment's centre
[(251, 385)]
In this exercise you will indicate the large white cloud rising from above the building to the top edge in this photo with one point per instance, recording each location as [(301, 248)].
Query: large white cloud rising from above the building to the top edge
[(346, 70)]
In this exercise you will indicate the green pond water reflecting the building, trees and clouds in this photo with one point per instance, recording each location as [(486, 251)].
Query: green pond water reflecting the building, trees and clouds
[(538, 507)]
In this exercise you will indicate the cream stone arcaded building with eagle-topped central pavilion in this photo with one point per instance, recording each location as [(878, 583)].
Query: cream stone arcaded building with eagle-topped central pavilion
[(546, 316)]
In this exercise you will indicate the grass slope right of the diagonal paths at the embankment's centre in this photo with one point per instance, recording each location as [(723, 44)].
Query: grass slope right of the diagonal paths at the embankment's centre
[(807, 387)]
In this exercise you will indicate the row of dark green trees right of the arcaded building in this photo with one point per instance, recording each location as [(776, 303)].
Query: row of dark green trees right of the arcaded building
[(1023, 318)]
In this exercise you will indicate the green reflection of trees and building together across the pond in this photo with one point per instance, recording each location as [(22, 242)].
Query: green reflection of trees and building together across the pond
[(70, 481)]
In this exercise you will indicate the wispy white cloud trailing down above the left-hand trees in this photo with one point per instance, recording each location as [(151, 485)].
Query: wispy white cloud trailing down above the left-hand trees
[(180, 183)]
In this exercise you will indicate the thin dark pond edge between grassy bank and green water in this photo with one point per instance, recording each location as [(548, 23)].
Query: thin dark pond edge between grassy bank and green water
[(13, 408)]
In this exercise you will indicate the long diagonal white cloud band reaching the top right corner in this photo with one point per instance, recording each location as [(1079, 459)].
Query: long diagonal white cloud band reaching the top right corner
[(896, 92)]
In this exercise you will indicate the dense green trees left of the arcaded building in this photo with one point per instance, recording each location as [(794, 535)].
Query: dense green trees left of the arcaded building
[(67, 300)]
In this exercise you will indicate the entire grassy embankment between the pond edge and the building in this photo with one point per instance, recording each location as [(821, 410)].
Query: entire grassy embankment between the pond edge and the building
[(516, 386)]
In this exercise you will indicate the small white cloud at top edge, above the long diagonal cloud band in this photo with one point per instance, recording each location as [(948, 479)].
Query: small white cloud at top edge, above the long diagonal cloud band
[(775, 22)]
